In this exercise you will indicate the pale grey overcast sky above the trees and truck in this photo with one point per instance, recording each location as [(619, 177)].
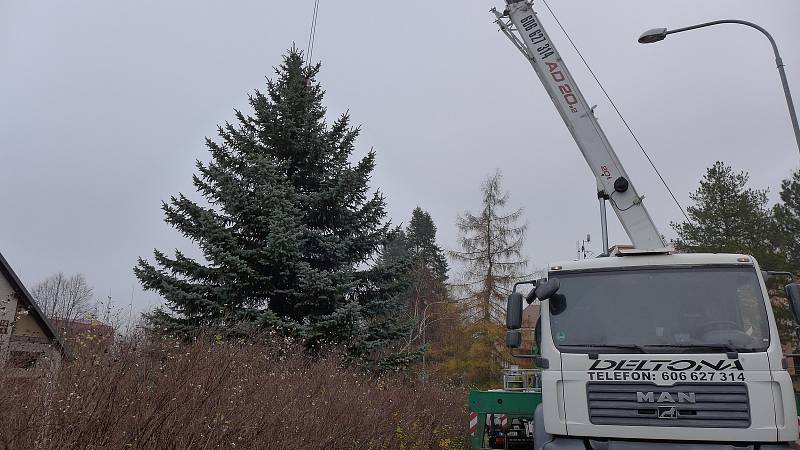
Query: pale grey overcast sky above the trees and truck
[(104, 106)]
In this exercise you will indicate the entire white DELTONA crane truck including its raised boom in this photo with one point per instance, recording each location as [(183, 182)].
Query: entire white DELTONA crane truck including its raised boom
[(643, 348)]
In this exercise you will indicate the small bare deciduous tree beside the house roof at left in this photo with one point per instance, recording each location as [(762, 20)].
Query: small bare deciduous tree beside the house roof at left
[(64, 298)]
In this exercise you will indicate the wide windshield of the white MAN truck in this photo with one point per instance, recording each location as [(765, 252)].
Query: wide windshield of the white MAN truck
[(691, 310)]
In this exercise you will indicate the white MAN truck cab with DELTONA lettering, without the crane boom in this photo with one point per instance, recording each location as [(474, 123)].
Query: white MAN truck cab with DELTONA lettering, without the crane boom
[(662, 351)]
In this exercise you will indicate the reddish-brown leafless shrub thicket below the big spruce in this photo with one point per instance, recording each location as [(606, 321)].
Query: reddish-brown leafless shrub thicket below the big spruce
[(161, 394)]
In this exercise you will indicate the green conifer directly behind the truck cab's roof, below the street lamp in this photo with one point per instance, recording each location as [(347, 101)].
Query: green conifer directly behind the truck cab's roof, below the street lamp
[(729, 217)]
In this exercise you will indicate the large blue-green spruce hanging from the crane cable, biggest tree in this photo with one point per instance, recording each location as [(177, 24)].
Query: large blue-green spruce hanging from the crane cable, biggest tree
[(287, 230)]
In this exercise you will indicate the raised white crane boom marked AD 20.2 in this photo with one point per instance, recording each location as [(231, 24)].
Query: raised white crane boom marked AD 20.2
[(520, 23)]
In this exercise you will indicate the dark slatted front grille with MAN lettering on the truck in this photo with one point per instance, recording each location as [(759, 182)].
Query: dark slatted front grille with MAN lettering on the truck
[(703, 405)]
